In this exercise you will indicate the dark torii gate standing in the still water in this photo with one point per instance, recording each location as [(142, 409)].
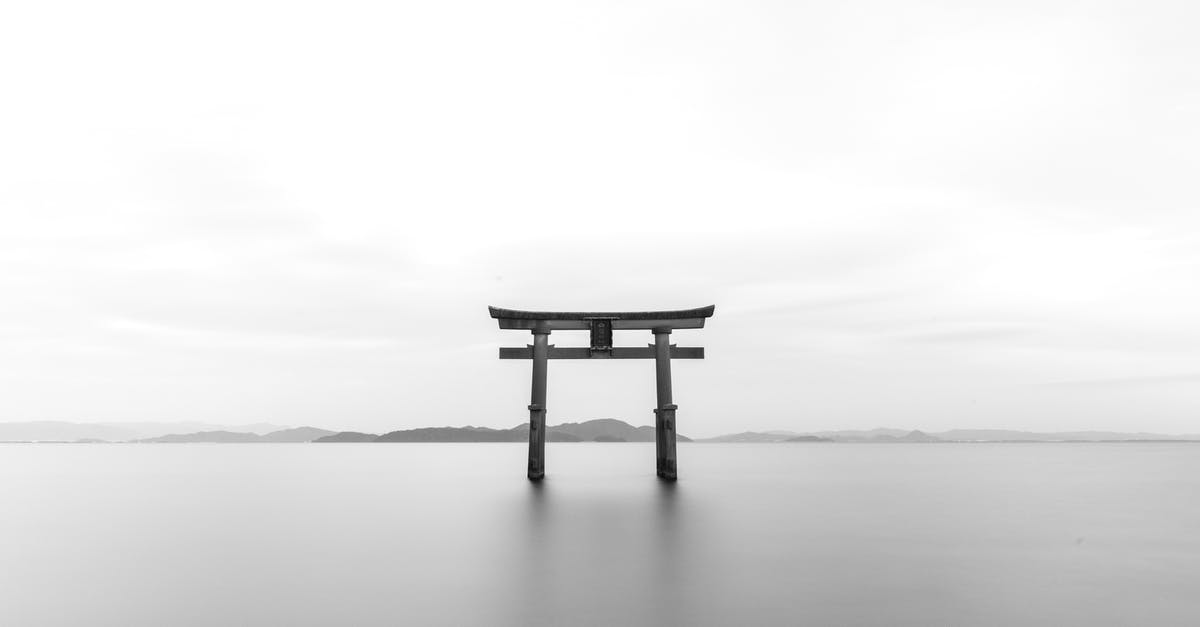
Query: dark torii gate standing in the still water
[(602, 325)]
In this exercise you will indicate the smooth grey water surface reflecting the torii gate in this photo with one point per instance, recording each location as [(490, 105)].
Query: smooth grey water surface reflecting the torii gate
[(133, 535)]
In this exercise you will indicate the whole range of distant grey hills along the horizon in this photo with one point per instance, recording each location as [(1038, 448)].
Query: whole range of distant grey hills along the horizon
[(601, 431)]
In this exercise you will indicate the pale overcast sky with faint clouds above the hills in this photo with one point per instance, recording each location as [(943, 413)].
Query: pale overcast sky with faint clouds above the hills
[(927, 216)]
